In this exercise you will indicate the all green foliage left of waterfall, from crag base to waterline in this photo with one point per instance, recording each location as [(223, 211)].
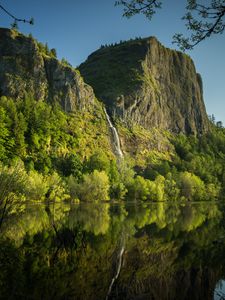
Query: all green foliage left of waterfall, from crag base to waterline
[(44, 137)]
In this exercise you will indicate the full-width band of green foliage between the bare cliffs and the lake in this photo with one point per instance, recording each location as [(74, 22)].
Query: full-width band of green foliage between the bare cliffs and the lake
[(63, 155)]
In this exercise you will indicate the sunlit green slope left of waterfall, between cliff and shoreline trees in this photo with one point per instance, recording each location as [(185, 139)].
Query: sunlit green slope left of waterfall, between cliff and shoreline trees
[(47, 138)]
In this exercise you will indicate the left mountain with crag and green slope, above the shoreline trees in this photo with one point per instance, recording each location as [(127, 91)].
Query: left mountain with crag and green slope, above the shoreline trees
[(47, 111)]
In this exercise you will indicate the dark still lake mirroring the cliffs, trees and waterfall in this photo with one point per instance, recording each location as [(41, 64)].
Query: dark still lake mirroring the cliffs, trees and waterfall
[(113, 251)]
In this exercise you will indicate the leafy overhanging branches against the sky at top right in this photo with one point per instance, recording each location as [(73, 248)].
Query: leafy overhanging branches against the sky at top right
[(202, 20)]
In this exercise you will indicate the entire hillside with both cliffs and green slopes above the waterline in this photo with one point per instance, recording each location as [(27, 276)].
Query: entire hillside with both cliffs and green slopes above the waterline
[(57, 142)]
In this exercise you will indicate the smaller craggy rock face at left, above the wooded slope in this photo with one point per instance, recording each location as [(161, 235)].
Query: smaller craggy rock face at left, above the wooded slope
[(24, 68)]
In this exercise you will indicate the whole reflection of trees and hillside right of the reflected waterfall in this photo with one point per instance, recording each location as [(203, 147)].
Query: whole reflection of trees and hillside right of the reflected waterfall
[(186, 252)]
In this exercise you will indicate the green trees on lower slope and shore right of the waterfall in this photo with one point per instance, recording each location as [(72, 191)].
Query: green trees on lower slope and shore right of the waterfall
[(195, 170)]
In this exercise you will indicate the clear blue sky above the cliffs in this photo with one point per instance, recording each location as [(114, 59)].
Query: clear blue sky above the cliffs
[(78, 27)]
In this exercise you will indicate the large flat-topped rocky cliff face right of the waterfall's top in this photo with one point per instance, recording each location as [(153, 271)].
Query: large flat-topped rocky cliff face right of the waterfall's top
[(145, 83)]
